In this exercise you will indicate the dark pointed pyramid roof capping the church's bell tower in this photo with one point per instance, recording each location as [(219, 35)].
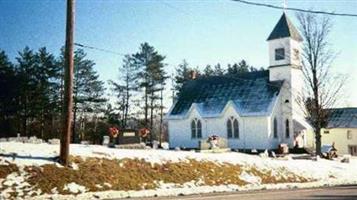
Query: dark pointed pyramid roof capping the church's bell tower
[(284, 28)]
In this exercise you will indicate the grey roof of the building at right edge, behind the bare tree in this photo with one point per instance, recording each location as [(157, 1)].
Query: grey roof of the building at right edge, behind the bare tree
[(342, 118)]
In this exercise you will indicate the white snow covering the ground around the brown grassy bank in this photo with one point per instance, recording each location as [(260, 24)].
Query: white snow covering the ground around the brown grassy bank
[(326, 172)]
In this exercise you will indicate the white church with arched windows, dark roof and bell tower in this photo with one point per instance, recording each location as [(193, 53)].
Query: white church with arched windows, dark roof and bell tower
[(254, 110)]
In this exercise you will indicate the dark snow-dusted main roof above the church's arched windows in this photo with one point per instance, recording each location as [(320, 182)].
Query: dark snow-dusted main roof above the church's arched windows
[(251, 94)]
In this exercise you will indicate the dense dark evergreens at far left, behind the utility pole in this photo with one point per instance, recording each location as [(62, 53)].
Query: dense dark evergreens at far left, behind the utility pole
[(31, 93)]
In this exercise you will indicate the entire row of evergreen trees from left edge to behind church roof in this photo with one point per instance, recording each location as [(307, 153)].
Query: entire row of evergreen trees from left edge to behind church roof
[(31, 94)]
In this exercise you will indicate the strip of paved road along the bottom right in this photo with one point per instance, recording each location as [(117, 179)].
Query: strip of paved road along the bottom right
[(331, 193)]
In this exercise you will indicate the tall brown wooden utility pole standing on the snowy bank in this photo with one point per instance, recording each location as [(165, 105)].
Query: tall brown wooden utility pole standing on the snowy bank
[(68, 85)]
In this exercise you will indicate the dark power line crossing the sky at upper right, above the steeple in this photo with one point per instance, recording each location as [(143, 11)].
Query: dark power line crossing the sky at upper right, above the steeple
[(296, 9)]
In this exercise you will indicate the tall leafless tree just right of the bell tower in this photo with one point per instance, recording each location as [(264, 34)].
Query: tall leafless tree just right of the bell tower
[(322, 87)]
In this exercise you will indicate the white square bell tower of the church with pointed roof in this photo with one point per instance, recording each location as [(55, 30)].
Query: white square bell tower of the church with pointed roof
[(285, 65)]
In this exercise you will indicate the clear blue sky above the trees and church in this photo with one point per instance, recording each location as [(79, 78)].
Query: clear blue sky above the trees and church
[(202, 32)]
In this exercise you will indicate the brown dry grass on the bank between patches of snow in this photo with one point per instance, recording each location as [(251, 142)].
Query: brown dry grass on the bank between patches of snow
[(135, 174)]
